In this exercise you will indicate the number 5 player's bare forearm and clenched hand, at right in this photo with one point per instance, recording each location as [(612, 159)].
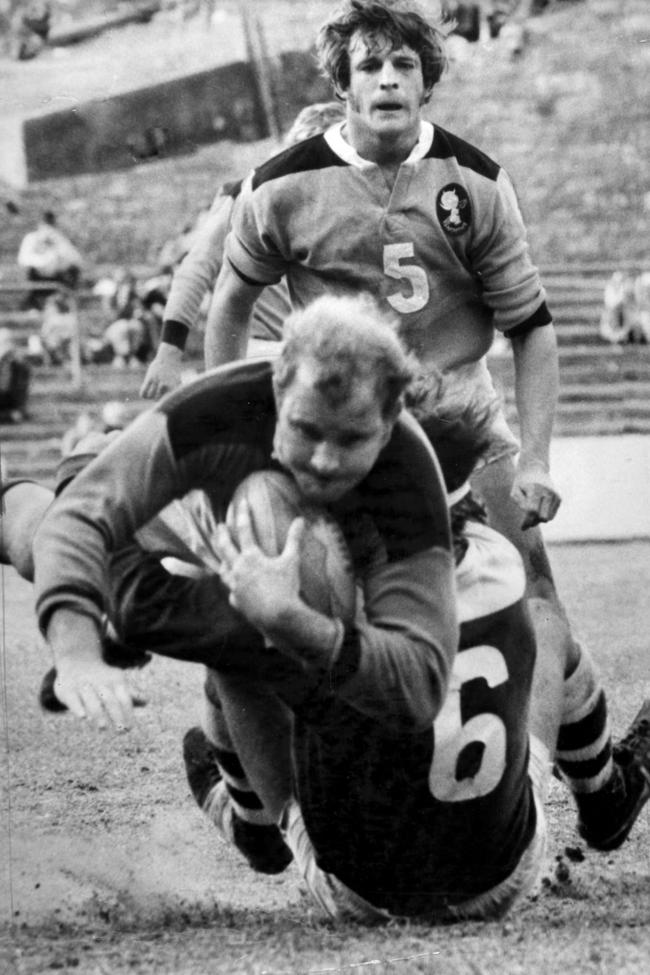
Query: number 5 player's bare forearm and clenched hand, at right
[(536, 392)]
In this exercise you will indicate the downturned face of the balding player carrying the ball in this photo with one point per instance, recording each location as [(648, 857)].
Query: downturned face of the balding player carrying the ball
[(329, 448)]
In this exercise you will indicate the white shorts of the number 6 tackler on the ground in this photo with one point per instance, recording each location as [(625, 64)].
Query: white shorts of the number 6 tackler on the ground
[(340, 902)]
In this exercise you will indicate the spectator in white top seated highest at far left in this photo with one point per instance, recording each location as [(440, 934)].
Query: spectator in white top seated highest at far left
[(48, 256)]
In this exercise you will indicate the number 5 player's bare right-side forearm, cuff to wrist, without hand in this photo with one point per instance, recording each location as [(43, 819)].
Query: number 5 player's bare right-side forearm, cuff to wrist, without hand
[(536, 391)]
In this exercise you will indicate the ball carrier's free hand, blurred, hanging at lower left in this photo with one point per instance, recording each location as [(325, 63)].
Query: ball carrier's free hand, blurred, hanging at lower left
[(96, 692)]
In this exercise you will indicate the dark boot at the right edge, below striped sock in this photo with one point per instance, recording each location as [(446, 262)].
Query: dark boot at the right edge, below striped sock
[(607, 816)]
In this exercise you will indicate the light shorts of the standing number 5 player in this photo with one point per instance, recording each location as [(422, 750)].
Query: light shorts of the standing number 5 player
[(466, 392)]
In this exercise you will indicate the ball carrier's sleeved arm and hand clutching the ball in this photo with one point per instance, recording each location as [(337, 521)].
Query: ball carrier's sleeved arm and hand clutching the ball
[(392, 662)]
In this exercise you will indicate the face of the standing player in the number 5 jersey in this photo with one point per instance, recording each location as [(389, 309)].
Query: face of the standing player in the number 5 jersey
[(385, 95)]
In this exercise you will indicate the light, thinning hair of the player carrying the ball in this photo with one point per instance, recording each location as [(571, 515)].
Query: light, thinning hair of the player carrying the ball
[(347, 338)]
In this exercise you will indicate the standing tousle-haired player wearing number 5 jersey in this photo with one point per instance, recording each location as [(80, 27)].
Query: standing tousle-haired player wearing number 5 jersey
[(389, 203)]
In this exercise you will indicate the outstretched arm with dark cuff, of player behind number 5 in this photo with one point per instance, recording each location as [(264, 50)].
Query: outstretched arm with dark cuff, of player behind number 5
[(194, 278)]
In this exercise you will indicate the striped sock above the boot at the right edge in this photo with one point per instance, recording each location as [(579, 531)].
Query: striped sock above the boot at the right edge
[(584, 747)]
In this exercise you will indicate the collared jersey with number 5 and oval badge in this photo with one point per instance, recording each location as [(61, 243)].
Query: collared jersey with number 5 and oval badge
[(445, 248)]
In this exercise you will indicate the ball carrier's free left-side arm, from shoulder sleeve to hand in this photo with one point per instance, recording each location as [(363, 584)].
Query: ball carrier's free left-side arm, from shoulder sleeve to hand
[(97, 513)]
